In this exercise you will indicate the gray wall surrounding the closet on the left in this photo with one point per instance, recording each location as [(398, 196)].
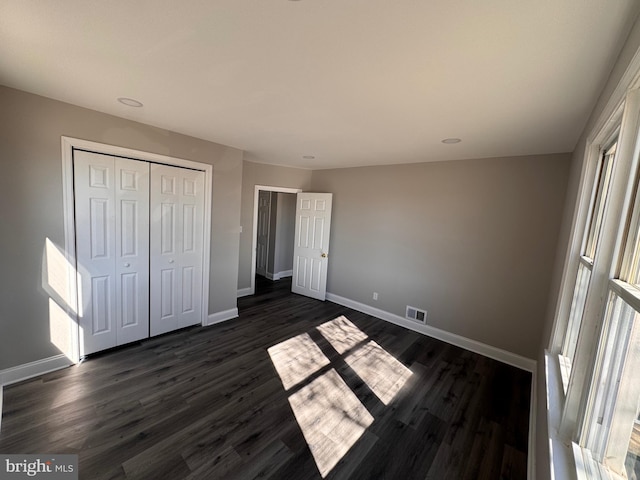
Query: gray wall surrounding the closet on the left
[(31, 207)]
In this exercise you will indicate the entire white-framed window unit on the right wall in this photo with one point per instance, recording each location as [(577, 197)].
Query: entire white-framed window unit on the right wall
[(597, 334)]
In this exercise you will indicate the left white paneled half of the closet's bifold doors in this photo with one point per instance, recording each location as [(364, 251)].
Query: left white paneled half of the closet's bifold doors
[(112, 239)]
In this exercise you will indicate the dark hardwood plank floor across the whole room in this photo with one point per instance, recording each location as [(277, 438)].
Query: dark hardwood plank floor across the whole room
[(209, 403)]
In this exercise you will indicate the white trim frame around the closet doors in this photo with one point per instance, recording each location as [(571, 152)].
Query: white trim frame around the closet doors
[(68, 146)]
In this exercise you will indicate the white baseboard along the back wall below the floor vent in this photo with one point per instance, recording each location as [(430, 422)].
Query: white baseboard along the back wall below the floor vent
[(459, 341)]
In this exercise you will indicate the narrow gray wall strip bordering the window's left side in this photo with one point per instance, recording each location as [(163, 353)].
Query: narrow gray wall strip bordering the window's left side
[(629, 49)]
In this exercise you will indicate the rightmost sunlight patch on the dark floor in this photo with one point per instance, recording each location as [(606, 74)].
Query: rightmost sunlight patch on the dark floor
[(384, 375)]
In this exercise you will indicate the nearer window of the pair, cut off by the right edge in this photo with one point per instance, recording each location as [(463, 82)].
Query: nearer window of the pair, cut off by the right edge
[(611, 428)]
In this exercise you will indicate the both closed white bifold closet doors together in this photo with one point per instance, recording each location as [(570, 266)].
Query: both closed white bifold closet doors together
[(139, 249)]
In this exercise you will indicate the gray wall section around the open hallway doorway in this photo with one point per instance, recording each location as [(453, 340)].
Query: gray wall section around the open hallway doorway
[(259, 174)]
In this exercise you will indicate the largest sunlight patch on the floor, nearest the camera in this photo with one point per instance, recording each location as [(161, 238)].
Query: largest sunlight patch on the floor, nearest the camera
[(331, 418)]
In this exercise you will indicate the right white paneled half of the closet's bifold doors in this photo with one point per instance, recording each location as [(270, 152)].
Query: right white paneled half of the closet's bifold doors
[(177, 217)]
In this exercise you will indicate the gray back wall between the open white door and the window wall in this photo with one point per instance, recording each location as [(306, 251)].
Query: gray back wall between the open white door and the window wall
[(472, 242)]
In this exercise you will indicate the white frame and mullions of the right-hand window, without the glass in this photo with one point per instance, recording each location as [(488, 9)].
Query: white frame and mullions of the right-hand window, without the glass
[(606, 266)]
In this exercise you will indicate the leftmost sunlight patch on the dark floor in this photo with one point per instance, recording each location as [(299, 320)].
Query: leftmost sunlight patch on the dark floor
[(296, 359)]
